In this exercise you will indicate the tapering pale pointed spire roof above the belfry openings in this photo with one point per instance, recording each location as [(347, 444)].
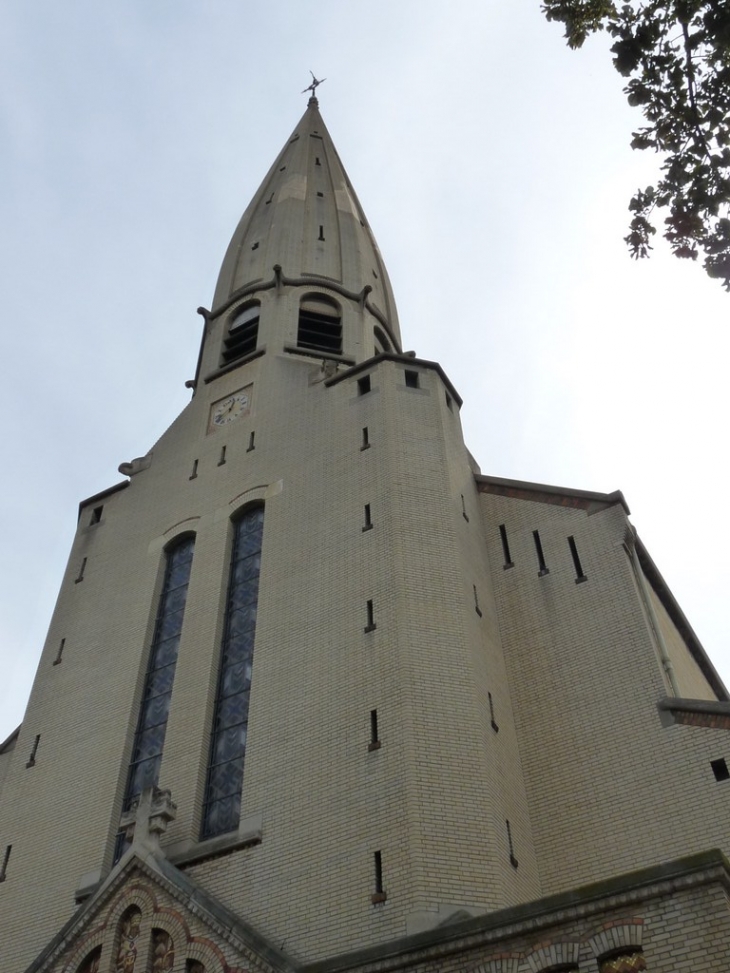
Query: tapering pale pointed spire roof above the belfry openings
[(306, 219)]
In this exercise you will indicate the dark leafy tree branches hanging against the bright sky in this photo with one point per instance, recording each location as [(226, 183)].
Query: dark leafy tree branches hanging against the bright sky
[(676, 55)]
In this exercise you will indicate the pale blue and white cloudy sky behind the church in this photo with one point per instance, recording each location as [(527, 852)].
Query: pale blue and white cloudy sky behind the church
[(495, 169)]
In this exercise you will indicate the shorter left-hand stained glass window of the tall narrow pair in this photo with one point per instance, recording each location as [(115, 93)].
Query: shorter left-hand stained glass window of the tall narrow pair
[(149, 739)]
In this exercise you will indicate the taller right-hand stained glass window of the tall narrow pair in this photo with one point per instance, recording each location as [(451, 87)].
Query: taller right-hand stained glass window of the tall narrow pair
[(222, 808)]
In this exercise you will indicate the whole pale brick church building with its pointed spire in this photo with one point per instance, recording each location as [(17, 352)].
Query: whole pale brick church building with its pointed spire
[(318, 694)]
